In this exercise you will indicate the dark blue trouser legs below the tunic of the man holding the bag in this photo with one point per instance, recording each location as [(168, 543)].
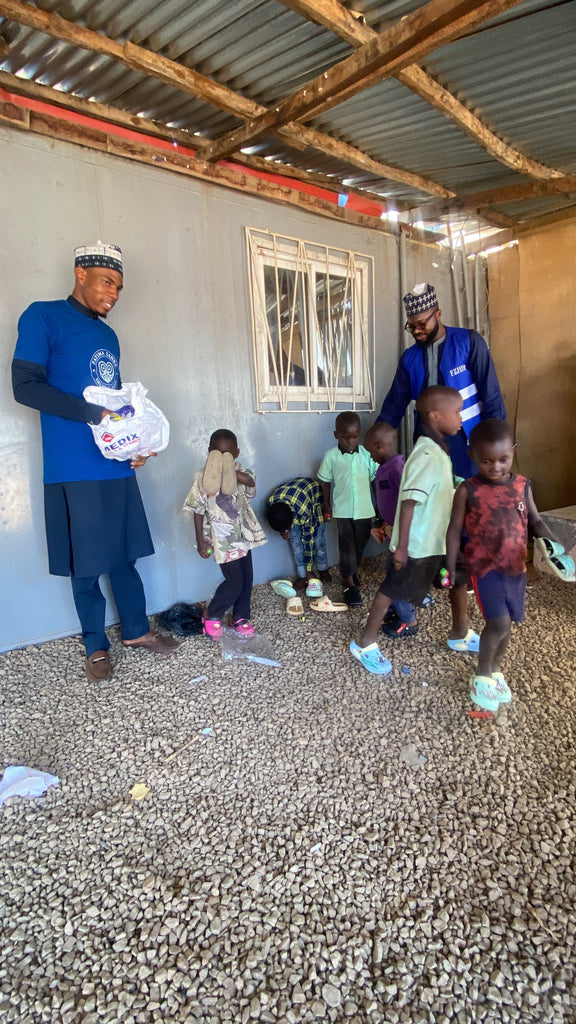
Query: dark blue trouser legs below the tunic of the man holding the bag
[(91, 606)]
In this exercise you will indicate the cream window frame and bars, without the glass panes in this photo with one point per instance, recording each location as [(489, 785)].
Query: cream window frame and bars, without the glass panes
[(309, 260)]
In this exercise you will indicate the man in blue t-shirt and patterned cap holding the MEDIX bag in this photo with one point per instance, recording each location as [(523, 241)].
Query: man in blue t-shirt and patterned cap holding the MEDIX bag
[(96, 522)]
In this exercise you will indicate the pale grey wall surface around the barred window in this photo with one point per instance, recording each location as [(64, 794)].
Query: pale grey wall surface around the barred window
[(185, 328)]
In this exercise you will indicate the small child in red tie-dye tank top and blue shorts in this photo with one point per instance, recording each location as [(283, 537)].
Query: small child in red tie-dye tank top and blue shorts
[(495, 508)]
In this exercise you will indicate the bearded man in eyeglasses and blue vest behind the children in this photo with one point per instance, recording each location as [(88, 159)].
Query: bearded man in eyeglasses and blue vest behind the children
[(450, 356)]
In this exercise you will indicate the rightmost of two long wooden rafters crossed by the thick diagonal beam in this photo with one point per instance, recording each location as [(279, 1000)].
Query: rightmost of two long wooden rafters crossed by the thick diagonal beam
[(333, 16)]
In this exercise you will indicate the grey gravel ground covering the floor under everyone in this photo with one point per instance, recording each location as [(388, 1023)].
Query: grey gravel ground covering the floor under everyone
[(338, 848)]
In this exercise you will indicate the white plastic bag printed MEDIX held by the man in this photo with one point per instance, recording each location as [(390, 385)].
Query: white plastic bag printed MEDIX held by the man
[(139, 430)]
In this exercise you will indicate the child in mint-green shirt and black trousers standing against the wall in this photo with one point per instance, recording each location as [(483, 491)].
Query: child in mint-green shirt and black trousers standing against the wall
[(346, 475)]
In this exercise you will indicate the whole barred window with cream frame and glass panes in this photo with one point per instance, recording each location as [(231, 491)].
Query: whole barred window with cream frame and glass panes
[(313, 325)]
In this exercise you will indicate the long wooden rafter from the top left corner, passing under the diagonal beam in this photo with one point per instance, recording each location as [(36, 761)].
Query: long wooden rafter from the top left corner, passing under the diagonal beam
[(191, 82)]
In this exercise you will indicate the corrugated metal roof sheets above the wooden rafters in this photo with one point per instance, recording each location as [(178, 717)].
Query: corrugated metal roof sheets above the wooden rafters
[(516, 73)]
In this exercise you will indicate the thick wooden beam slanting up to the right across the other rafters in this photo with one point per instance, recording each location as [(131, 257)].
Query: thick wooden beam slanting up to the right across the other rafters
[(425, 30)]
